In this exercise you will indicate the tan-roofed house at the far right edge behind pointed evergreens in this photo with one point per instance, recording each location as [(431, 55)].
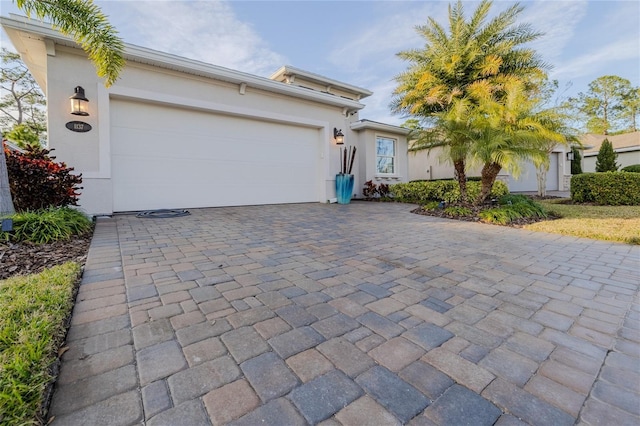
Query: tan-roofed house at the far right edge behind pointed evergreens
[(626, 145)]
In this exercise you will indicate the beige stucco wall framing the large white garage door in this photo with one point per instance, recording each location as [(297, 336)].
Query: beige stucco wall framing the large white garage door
[(89, 153)]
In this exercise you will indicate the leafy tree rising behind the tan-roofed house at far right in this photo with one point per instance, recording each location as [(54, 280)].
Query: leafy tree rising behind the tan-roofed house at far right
[(602, 105)]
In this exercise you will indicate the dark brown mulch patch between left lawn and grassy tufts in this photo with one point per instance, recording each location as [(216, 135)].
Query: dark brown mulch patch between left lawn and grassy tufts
[(27, 258)]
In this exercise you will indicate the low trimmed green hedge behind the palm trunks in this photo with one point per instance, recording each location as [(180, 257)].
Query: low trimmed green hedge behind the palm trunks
[(441, 190)]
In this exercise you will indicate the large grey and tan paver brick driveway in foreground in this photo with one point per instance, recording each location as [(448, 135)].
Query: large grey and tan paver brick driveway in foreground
[(361, 314)]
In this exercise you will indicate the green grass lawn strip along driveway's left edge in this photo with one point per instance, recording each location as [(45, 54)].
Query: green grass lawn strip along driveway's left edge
[(33, 310)]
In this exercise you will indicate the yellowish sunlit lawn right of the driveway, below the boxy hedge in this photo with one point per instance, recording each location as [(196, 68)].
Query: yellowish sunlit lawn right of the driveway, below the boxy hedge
[(609, 223)]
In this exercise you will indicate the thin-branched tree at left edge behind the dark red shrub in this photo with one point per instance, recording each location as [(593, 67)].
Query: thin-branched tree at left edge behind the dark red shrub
[(22, 103)]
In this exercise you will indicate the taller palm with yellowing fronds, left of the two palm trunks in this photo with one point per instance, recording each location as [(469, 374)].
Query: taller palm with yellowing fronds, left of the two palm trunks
[(472, 55)]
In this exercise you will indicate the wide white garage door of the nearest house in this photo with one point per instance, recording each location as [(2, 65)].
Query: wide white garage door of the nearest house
[(164, 157)]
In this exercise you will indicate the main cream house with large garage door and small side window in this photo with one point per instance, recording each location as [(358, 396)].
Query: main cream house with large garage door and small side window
[(177, 133)]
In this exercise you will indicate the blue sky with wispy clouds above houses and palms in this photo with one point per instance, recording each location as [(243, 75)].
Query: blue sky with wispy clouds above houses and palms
[(356, 42)]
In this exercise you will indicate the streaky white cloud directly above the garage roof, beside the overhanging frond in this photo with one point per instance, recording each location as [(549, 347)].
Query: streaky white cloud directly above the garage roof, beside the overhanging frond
[(208, 31)]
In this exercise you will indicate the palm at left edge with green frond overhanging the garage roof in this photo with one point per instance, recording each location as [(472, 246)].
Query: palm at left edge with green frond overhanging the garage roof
[(90, 28)]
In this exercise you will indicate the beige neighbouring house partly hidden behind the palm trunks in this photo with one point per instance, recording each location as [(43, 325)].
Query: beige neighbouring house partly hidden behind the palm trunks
[(431, 165)]
